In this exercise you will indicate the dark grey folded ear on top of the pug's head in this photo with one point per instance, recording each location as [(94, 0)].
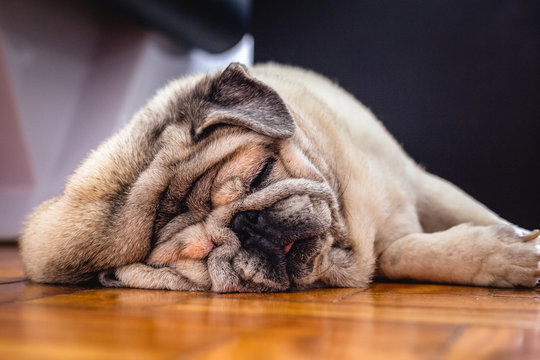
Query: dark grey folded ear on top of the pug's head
[(236, 98)]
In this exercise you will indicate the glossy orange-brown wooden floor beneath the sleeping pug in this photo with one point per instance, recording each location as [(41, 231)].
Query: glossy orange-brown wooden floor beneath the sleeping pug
[(386, 321)]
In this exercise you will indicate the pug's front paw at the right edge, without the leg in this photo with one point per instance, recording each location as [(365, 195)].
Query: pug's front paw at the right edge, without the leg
[(515, 262)]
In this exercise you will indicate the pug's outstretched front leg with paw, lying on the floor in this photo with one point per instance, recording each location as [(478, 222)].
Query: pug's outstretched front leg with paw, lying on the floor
[(494, 255)]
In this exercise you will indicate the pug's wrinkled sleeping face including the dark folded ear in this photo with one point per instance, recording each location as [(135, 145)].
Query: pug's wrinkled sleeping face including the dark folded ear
[(243, 209)]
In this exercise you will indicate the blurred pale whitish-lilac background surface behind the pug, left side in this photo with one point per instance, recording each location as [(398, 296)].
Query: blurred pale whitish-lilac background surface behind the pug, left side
[(67, 81)]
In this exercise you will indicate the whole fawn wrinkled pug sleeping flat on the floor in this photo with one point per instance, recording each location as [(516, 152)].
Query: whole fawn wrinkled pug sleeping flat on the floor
[(271, 178)]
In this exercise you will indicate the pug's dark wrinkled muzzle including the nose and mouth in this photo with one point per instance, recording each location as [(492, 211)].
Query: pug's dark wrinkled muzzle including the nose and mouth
[(280, 245)]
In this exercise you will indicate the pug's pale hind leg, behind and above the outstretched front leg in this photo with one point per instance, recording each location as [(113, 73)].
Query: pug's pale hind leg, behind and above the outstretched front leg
[(441, 205)]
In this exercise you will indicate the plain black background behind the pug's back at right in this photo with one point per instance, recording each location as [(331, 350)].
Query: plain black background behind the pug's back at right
[(456, 82)]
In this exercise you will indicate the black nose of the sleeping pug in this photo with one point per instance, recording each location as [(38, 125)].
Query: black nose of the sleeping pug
[(255, 231)]
